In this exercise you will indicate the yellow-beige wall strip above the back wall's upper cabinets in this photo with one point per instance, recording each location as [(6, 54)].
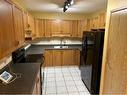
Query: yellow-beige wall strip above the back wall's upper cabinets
[(66, 16)]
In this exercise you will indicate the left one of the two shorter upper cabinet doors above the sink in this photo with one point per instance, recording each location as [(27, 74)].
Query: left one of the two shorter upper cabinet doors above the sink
[(56, 27)]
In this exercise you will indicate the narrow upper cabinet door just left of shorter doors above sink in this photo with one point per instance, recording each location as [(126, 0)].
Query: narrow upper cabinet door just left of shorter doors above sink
[(48, 28)]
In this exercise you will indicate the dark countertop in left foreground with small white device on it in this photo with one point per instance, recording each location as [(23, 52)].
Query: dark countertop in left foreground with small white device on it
[(23, 85)]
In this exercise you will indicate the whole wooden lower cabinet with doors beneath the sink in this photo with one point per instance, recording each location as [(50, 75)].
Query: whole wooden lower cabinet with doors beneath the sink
[(62, 57)]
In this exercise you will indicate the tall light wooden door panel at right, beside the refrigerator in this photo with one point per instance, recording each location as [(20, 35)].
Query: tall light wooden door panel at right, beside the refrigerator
[(116, 55)]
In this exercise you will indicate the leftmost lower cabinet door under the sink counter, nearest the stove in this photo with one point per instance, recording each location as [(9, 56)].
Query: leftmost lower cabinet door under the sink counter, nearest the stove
[(48, 57)]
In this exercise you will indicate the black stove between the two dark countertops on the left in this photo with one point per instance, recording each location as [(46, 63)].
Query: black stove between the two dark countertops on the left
[(19, 57)]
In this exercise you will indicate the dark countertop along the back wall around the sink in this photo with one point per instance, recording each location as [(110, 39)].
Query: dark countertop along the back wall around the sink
[(39, 49)]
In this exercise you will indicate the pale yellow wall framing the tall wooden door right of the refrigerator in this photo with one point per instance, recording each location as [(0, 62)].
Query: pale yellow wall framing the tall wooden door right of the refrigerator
[(112, 4)]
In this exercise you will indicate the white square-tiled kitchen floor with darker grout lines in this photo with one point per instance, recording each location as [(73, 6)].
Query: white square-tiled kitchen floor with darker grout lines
[(64, 80)]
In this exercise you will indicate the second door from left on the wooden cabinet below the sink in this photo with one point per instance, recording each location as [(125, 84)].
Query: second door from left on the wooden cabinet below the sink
[(57, 57)]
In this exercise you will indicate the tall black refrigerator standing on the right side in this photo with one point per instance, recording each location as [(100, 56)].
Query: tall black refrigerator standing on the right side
[(91, 60)]
